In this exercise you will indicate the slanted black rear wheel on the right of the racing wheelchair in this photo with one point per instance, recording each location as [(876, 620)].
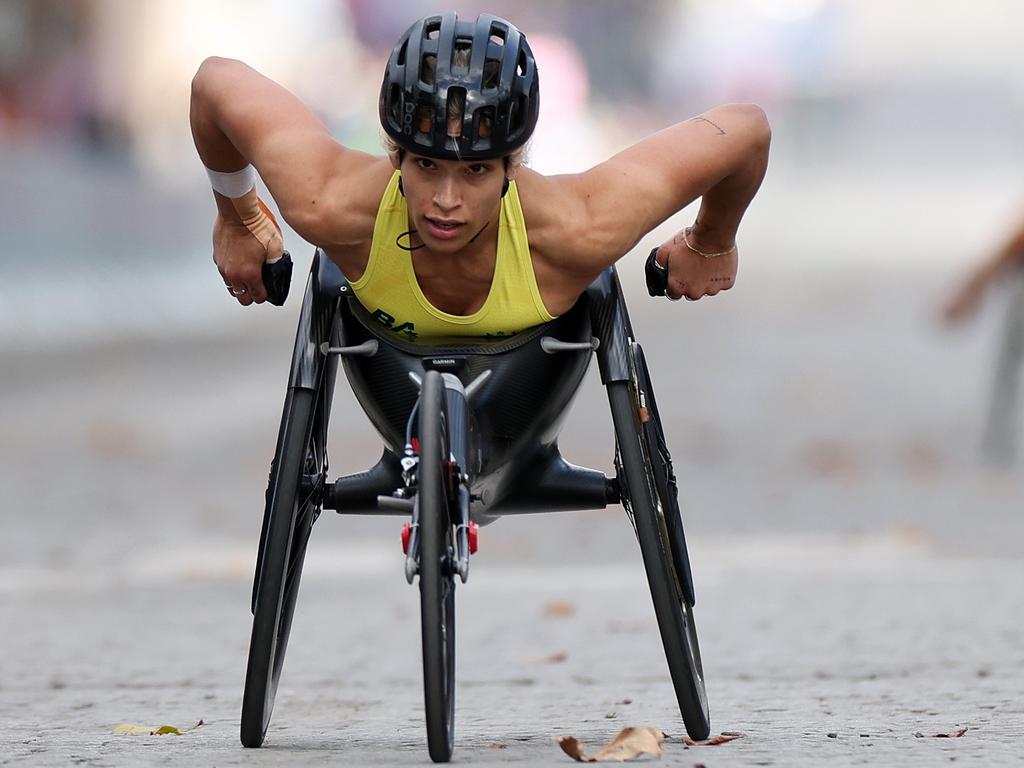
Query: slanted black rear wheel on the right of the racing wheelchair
[(639, 484)]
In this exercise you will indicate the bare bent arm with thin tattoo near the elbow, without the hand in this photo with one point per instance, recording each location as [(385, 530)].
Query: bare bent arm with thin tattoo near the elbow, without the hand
[(720, 157)]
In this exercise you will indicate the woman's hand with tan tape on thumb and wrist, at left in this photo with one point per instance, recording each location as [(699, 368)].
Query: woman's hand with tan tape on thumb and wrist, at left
[(240, 258)]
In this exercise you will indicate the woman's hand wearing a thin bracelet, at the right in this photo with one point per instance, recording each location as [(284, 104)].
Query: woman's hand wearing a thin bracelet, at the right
[(693, 276)]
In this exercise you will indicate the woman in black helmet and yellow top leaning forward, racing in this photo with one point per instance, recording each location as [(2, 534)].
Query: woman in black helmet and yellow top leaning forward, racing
[(450, 233)]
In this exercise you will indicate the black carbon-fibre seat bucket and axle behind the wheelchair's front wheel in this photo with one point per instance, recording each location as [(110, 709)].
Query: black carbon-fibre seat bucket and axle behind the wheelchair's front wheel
[(519, 410)]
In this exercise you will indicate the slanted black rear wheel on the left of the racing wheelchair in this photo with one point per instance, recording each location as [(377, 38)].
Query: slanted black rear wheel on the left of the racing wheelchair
[(292, 507)]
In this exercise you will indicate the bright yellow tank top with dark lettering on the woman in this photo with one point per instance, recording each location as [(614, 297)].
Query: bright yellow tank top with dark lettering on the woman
[(390, 291)]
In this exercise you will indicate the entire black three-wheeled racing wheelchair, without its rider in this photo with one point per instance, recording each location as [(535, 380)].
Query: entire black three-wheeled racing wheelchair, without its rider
[(471, 431)]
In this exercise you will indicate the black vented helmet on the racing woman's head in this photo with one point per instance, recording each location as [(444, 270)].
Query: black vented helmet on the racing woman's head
[(481, 74)]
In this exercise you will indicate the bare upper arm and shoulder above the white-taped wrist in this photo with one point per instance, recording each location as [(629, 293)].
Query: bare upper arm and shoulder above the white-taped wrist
[(238, 117)]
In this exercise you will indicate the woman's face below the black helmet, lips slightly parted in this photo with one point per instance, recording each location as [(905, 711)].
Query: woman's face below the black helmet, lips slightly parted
[(450, 202)]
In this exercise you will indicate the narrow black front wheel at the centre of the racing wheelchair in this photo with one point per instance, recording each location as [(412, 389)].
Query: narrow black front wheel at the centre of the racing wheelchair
[(437, 577)]
